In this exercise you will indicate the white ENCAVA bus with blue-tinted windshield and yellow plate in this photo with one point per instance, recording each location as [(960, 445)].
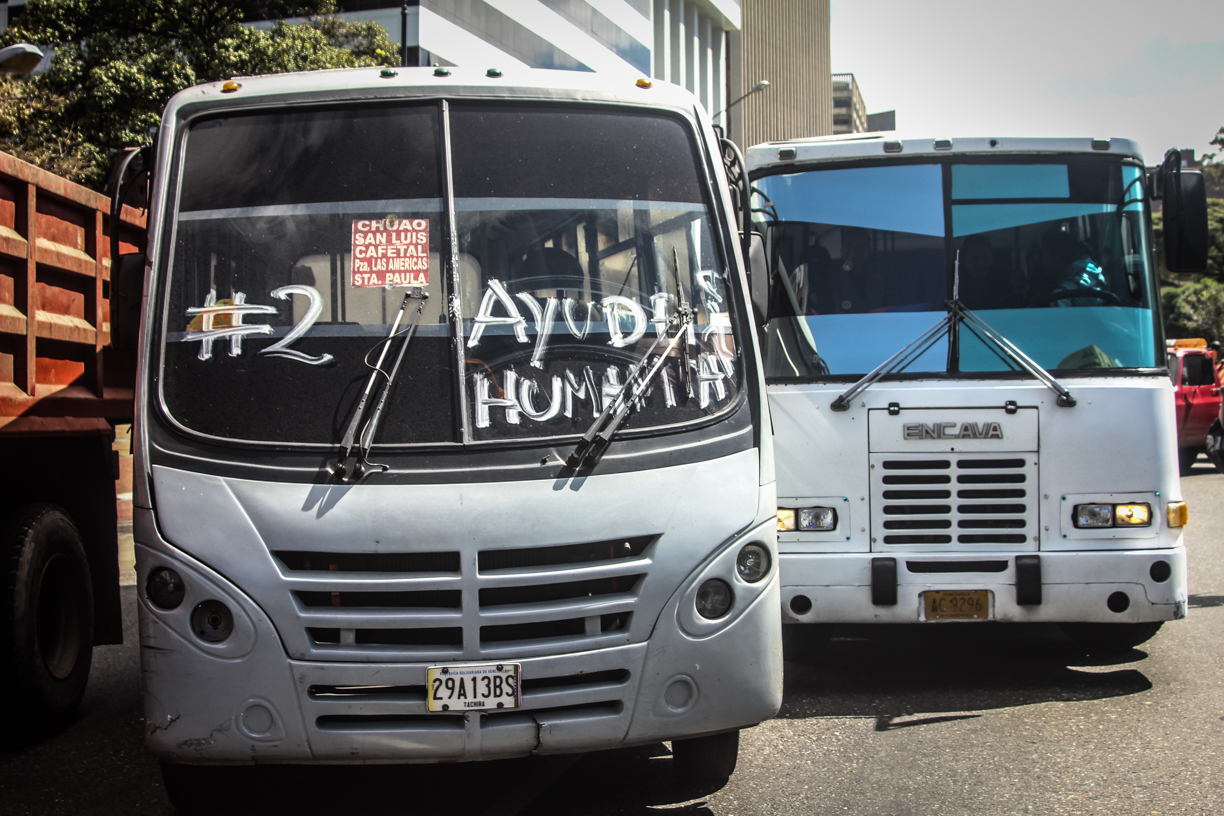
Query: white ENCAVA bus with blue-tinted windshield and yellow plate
[(969, 385)]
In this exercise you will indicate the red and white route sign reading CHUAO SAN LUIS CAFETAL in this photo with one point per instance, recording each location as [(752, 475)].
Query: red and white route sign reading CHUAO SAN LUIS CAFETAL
[(391, 253)]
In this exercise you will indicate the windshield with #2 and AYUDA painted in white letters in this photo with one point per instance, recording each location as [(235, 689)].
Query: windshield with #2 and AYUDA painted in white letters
[(576, 237)]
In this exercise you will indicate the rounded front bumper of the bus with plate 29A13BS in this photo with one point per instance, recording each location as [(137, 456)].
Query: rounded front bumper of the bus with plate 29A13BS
[(252, 704)]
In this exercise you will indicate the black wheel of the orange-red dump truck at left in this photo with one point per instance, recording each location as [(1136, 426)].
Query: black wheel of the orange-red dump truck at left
[(47, 621)]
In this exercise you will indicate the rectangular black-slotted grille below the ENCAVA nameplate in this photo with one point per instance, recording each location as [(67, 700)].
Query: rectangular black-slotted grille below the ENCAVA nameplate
[(980, 501)]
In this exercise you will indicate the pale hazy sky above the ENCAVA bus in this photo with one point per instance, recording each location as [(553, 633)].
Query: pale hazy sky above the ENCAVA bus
[(1144, 70)]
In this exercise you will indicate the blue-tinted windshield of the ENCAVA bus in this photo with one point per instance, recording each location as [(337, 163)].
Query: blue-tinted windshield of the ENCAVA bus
[(1051, 254)]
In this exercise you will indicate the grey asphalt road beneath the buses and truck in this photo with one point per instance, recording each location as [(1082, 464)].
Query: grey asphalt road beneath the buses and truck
[(893, 722)]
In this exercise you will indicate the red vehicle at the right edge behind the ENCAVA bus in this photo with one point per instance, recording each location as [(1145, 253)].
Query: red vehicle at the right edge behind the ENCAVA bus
[(1193, 368)]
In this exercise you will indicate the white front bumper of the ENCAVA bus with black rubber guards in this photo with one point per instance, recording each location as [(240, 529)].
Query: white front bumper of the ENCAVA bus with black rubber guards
[(1073, 587)]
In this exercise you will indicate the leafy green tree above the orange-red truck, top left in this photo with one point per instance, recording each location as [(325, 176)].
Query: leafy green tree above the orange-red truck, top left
[(119, 62)]
